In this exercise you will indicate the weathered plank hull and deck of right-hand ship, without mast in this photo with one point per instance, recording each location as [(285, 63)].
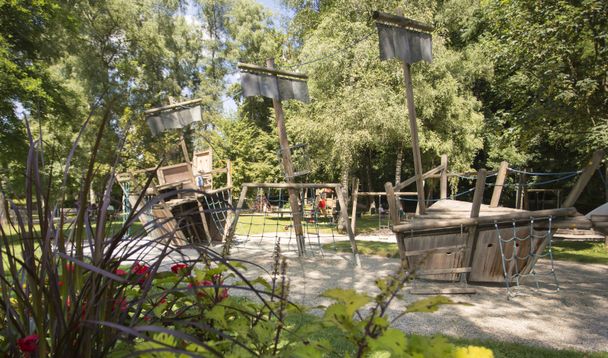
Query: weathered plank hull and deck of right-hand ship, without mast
[(435, 243)]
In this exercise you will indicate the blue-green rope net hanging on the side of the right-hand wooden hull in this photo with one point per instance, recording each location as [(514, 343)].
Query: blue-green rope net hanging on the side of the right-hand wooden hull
[(521, 250)]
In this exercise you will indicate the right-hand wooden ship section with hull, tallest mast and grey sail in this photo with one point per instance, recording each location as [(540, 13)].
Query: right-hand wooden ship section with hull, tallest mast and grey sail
[(453, 239)]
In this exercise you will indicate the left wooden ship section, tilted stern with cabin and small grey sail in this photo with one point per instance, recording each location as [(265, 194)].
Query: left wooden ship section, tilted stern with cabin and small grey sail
[(186, 204)]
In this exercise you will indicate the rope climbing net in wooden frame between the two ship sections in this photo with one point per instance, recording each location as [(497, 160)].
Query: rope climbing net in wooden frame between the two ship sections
[(264, 217)]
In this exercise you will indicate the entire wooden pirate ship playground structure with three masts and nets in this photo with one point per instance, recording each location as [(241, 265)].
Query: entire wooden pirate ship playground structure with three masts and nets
[(449, 240)]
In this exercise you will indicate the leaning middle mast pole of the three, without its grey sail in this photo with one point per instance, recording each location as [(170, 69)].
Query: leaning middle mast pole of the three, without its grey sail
[(288, 168)]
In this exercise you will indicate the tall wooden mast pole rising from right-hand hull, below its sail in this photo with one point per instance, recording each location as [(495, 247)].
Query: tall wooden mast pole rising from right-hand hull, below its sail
[(409, 91)]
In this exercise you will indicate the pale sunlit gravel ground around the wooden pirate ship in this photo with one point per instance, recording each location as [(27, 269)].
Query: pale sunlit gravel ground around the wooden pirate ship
[(575, 317)]
